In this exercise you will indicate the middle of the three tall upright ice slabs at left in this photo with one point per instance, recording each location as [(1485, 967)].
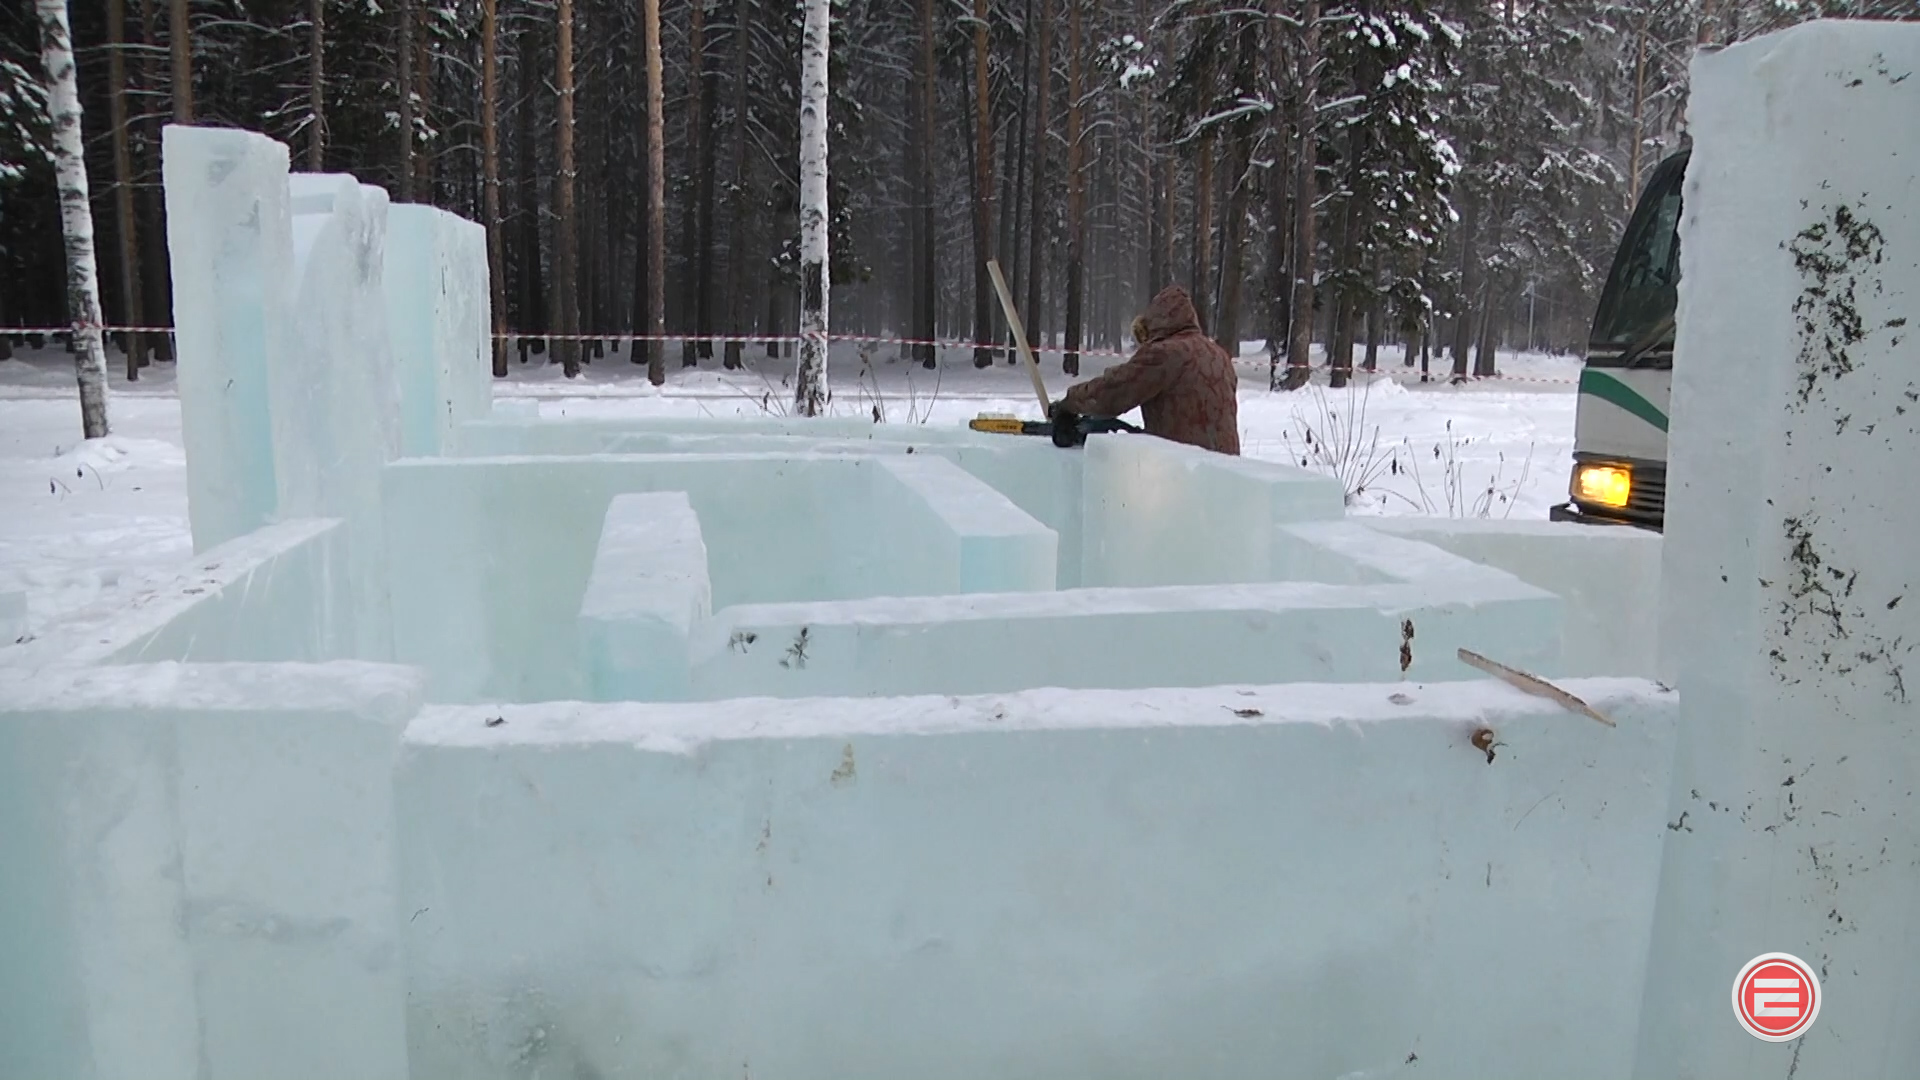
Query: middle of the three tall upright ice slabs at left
[(337, 399)]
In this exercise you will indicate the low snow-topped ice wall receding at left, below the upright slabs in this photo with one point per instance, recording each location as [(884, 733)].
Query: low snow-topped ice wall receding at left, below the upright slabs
[(277, 595)]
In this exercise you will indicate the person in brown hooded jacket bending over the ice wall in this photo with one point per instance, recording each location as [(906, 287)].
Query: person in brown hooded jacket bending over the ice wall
[(1180, 380)]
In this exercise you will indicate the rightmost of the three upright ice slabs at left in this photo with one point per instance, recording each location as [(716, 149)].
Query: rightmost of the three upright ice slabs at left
[(439, 314)]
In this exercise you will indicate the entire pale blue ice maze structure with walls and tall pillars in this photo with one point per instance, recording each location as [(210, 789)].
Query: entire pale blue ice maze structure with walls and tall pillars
[(825, 749)]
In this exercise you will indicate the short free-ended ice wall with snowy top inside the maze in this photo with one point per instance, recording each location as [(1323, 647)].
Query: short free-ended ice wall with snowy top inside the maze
[(644, 597)]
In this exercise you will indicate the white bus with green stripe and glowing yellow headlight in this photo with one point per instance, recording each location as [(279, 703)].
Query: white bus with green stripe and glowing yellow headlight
[(1620, 437)]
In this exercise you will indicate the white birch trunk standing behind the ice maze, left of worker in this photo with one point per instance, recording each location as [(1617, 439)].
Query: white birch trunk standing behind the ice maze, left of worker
[(811, 378)]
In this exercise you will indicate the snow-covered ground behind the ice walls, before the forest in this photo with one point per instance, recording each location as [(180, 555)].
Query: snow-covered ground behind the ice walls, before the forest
[(80, 520)]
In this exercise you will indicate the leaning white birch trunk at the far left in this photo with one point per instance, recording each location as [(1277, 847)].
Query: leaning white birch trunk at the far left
[(76, 212)]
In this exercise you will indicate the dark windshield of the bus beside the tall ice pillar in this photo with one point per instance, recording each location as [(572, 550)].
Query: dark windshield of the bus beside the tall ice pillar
[(1641, 289)]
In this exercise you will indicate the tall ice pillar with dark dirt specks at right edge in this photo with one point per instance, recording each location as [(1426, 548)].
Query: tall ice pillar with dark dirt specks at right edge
[(1790, 606)]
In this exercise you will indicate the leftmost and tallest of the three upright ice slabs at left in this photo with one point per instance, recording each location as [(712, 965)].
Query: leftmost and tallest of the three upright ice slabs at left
[(229, 247)]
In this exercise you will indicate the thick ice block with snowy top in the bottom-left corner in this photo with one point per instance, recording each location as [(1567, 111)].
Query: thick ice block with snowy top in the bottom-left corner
[(201, 871)]
